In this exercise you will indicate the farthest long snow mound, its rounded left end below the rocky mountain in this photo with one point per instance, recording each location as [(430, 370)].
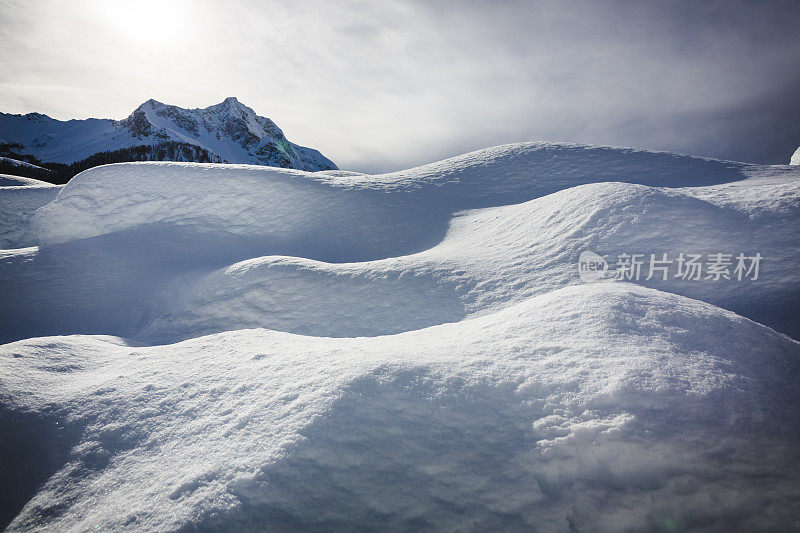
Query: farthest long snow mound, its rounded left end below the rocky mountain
[(255, 200)]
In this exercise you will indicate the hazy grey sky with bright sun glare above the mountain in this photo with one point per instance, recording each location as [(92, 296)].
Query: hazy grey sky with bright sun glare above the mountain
[(380, 86)]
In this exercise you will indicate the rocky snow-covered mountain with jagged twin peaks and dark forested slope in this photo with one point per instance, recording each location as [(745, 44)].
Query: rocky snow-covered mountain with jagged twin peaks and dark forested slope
[(230, 131)]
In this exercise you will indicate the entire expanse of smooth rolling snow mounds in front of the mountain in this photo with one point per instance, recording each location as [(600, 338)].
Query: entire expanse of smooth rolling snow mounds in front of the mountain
[(405, 351)]
